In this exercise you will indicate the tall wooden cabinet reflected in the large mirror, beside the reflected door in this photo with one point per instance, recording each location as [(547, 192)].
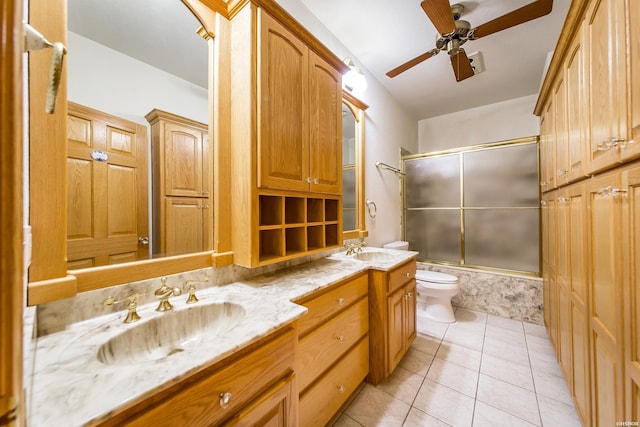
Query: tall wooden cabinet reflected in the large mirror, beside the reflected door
[(181, 184)]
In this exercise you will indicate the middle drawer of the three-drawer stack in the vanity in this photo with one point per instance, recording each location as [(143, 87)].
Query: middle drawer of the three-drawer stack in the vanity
[(320, 349)]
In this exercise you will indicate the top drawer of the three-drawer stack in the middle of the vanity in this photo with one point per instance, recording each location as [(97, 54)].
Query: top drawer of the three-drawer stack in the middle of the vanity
[(326, 305)]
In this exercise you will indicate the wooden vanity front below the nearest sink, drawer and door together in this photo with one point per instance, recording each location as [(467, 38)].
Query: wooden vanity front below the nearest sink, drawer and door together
[(260, 383)]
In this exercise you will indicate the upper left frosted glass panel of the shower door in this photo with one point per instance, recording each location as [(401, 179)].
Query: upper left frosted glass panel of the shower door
[(433, 182)]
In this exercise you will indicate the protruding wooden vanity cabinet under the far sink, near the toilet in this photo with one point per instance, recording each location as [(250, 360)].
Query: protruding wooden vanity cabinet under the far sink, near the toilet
[(392, 320)]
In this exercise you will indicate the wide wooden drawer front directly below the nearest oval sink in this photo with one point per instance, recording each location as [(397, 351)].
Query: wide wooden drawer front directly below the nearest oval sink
[(198, 403)]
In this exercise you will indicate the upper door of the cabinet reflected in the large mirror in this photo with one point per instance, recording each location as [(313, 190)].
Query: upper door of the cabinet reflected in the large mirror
[(183, 161)]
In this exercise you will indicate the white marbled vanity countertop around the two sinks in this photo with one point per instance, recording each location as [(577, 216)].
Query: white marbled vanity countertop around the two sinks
[(71, 387)]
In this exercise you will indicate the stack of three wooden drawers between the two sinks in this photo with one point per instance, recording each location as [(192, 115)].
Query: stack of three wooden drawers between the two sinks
[(333, 349)]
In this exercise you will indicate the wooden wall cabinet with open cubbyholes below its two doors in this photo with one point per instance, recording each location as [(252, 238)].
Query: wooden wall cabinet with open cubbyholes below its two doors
[(286, 141)]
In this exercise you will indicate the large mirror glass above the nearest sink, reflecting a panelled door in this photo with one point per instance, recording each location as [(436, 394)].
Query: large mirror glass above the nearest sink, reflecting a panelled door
[(125, 60)]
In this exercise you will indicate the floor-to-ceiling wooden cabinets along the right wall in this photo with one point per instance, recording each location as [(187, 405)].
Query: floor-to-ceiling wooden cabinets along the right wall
[(589, 110)]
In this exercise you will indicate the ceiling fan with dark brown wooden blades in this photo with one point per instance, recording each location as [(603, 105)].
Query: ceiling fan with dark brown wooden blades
[(454, 32)]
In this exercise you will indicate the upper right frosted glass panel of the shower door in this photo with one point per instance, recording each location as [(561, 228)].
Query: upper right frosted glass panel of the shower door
[(506, 176)]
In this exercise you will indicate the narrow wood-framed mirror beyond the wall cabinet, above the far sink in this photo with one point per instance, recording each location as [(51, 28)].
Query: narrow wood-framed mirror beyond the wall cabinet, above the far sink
[(353, 224)]
